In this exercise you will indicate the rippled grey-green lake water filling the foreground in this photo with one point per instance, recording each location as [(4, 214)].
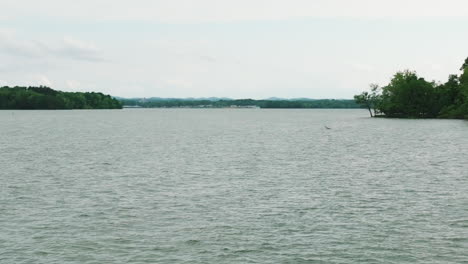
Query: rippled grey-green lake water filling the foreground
[(231, 186)]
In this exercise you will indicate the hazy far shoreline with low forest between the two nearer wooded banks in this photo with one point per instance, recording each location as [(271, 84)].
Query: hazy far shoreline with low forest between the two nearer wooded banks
[(225, 103)]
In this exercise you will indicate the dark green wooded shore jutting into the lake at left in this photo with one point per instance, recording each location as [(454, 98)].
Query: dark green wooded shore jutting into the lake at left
[(46, 98)]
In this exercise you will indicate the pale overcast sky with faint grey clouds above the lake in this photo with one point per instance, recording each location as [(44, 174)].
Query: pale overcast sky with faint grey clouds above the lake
[(228, 48)]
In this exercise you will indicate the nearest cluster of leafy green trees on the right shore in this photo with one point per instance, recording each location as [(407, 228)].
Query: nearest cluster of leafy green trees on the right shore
[(410, 96)]
